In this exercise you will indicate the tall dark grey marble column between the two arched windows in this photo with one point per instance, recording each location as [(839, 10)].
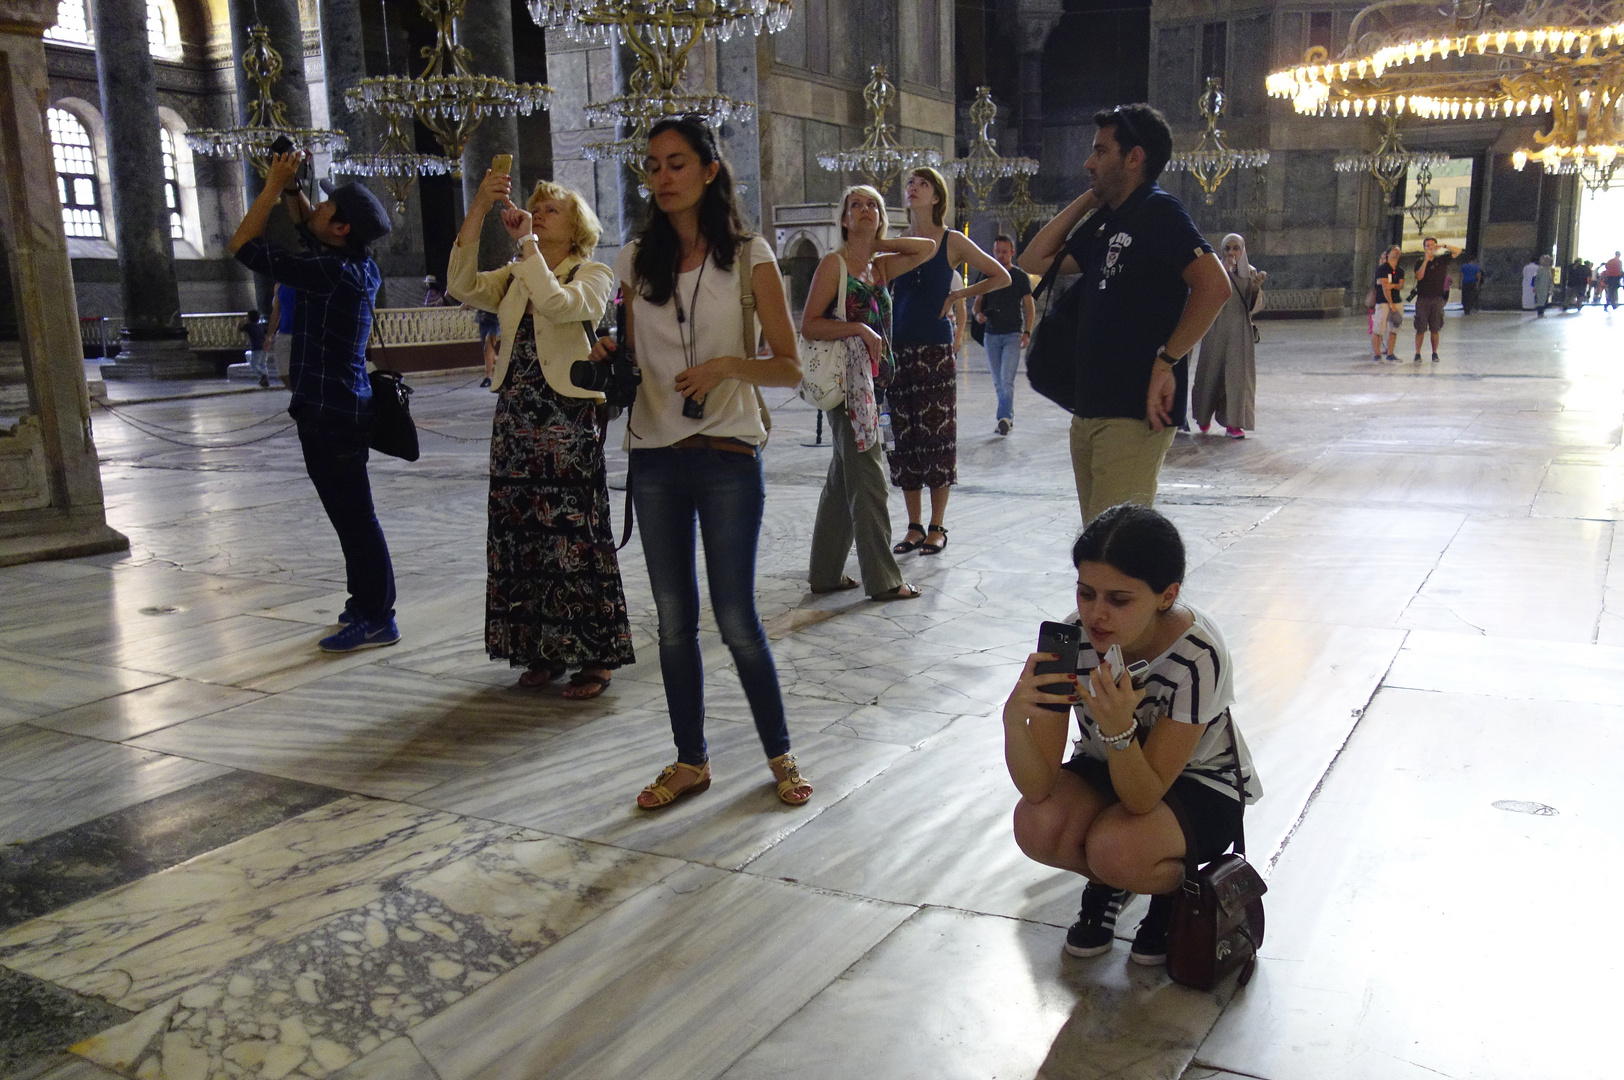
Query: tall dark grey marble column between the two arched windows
[(153, 343)]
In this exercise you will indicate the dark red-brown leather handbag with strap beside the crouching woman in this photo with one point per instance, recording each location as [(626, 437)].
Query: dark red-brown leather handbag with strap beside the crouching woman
[(1219, 918)]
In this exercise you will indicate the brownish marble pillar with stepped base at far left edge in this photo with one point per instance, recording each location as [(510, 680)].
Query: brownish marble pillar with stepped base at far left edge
[(51, 498)]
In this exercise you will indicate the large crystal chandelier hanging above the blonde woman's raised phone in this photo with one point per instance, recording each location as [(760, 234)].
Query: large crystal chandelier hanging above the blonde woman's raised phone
[(447, 98)]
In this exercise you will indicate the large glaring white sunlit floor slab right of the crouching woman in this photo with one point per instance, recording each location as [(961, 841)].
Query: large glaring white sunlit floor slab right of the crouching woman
[(1373, 901)]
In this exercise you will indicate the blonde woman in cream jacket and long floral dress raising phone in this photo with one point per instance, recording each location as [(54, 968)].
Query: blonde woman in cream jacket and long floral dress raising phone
[(555, 598)]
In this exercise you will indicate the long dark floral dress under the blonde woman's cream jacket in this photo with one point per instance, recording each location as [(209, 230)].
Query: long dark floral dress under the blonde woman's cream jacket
[(555, 590)]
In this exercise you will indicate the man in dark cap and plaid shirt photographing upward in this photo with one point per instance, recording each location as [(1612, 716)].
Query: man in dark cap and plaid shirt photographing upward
[(334, 283)]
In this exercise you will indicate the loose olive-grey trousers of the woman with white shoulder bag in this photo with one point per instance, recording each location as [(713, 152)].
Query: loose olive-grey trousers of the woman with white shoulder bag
[(853, 509)]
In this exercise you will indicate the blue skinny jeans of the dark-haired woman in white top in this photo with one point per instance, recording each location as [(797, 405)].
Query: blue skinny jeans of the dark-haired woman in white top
[(725, 493)]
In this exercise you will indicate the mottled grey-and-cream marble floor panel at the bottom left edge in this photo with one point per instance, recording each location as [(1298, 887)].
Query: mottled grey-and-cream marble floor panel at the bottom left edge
[(332, 996)]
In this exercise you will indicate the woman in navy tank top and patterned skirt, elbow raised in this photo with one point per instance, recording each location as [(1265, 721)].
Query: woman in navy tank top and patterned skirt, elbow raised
[(923, 395)]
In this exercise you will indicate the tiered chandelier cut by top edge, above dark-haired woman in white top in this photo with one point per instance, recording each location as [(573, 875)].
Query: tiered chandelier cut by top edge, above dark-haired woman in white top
[(663, 35)]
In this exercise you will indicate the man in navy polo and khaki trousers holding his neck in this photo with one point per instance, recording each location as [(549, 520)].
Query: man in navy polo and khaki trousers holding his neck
[(1152, 287)]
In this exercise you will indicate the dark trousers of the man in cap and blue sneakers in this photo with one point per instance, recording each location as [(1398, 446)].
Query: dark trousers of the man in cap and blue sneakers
[(337, 462)]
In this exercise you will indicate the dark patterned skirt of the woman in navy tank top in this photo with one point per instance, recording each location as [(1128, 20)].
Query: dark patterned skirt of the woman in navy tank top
[(925, 418)]
